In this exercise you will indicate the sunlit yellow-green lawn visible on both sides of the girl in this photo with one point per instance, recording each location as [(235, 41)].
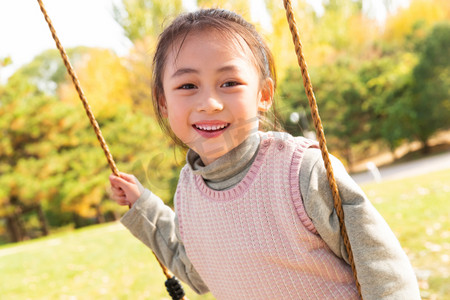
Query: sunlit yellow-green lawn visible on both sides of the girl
[(107, 262)]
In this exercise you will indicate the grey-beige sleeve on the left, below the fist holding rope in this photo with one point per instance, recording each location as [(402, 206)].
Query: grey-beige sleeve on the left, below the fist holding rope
[(156, 225)]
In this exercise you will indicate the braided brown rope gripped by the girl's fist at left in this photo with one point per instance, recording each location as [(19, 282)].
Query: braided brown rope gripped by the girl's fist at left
[(88, 110)]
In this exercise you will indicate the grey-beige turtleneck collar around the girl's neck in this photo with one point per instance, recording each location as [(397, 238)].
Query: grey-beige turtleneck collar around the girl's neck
[(228, 170)]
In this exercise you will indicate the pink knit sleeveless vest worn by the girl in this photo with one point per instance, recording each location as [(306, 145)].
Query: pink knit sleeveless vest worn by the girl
[(255, 241)]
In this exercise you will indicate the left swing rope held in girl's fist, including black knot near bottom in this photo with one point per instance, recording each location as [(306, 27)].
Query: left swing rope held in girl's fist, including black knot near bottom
[(172, 284)]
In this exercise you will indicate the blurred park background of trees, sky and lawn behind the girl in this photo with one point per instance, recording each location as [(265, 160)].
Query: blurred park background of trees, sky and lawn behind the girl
[(380, 72)]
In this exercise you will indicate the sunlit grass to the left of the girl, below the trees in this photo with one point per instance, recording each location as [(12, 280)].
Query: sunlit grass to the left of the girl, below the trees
[(99, 262)]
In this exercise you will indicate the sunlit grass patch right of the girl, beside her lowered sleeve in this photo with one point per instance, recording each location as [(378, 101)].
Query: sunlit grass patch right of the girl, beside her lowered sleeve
[(418, 211)]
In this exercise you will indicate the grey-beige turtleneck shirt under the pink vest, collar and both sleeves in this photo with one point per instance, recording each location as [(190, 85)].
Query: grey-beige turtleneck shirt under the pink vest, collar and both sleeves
[(384, 271)]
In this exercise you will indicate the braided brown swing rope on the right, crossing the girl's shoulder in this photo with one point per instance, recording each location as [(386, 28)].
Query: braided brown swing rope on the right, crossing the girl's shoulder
[(320, 135)]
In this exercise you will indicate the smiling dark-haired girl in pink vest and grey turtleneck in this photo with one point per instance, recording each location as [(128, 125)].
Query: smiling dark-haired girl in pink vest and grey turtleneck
[(254, 216)]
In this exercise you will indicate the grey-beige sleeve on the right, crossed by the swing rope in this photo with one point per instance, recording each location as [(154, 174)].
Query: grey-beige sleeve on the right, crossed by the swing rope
[(384, 270)]
